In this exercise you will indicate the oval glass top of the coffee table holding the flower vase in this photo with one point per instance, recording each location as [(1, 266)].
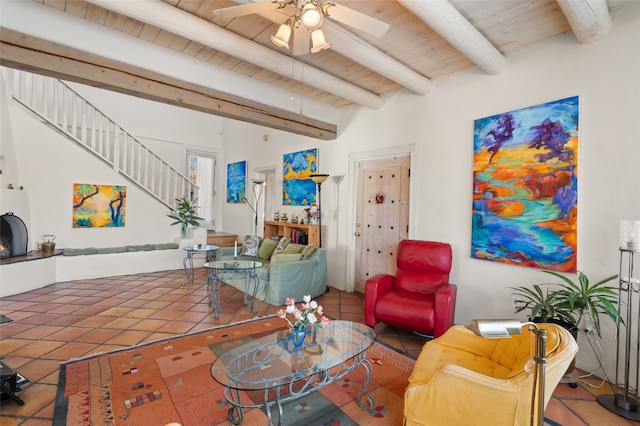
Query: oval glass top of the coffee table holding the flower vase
[(272, 360)]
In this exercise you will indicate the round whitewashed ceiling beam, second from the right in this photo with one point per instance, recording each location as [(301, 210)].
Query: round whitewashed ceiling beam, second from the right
[(445, 19)]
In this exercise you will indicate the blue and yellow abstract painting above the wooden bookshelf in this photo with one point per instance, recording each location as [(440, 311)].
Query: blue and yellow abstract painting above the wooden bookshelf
[(297, 188)]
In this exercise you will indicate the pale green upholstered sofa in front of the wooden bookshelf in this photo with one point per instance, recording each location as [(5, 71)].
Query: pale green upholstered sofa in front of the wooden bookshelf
[(287, 274)]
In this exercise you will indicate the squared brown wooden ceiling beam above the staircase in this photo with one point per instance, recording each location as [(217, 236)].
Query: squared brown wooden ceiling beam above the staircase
[(21, 51)]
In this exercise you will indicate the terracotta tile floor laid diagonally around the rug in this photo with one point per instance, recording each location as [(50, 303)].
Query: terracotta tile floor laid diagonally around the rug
[(79, 318)]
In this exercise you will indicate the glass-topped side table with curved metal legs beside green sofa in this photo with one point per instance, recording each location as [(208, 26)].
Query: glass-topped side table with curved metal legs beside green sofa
[(221, 270)]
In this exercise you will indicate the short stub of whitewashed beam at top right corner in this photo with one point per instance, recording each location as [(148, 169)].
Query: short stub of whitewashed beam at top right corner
[(589, 19)]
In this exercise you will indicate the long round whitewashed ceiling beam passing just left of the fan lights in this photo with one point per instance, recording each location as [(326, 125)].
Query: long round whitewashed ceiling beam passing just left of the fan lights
[(179, 22)]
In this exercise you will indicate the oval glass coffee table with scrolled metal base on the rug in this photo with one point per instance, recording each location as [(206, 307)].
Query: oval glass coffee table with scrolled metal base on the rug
[(282, 372)]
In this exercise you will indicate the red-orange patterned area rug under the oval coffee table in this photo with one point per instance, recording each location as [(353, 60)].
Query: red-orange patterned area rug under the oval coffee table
[(169, 381)]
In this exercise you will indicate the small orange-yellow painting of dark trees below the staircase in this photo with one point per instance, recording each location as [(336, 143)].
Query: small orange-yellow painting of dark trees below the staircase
[(99, 206)]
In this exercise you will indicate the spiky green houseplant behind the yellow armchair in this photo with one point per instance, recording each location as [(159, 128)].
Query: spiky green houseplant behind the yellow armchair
[(569, 301)]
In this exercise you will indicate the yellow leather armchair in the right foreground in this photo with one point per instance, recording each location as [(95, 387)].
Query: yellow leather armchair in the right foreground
[(461, 378)]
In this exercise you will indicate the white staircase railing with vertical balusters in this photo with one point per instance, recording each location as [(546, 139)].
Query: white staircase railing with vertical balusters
[(67, 111)]
